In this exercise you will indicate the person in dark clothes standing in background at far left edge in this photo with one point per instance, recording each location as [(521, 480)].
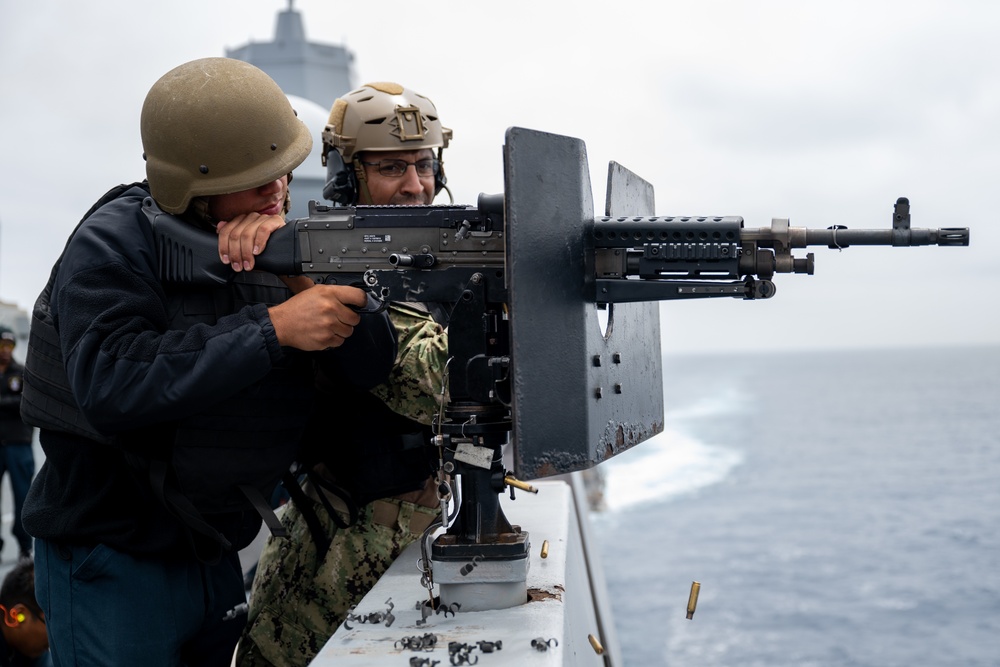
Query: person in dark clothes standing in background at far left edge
[(16, 458)]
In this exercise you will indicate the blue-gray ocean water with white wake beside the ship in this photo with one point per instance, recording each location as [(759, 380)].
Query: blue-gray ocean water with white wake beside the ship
[(838, 508)]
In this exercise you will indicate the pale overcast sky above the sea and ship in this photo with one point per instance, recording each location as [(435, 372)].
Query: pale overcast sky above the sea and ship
[(822, 112)]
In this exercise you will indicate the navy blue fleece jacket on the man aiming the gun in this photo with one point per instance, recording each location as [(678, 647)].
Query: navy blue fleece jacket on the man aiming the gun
[(191, 376)]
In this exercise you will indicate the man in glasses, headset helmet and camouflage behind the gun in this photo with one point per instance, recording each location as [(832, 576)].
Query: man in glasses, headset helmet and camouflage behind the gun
[(369, 490)]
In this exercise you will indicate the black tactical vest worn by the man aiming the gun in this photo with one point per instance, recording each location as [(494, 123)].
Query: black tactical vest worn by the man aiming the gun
[(225, 461)]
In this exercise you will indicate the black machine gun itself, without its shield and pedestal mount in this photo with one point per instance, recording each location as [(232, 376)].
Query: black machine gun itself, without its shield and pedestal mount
[(429, 253)]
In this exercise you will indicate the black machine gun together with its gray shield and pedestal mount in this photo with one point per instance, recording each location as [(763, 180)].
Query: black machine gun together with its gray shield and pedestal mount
[(529, 273)]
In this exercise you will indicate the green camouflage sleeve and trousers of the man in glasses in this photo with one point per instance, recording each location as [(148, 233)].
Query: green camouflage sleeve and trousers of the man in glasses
[(299, 597)]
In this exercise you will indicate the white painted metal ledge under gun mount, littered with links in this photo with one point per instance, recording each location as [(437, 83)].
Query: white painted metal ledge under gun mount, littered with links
[(567, 600)]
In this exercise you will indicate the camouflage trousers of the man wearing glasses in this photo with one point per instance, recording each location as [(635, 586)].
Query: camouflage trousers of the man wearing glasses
[(299, 597)]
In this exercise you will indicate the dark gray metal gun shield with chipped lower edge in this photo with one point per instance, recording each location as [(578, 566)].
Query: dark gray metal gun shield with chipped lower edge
[(583, 390)]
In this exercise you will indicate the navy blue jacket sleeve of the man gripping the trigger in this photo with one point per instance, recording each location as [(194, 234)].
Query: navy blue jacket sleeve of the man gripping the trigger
[(126, 368)]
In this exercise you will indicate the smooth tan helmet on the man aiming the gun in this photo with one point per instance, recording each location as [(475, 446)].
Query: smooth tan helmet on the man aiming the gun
[(216, 126)]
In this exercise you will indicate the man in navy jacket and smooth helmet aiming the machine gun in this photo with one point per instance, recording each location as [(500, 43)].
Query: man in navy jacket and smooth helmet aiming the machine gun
[(167, 411)]
